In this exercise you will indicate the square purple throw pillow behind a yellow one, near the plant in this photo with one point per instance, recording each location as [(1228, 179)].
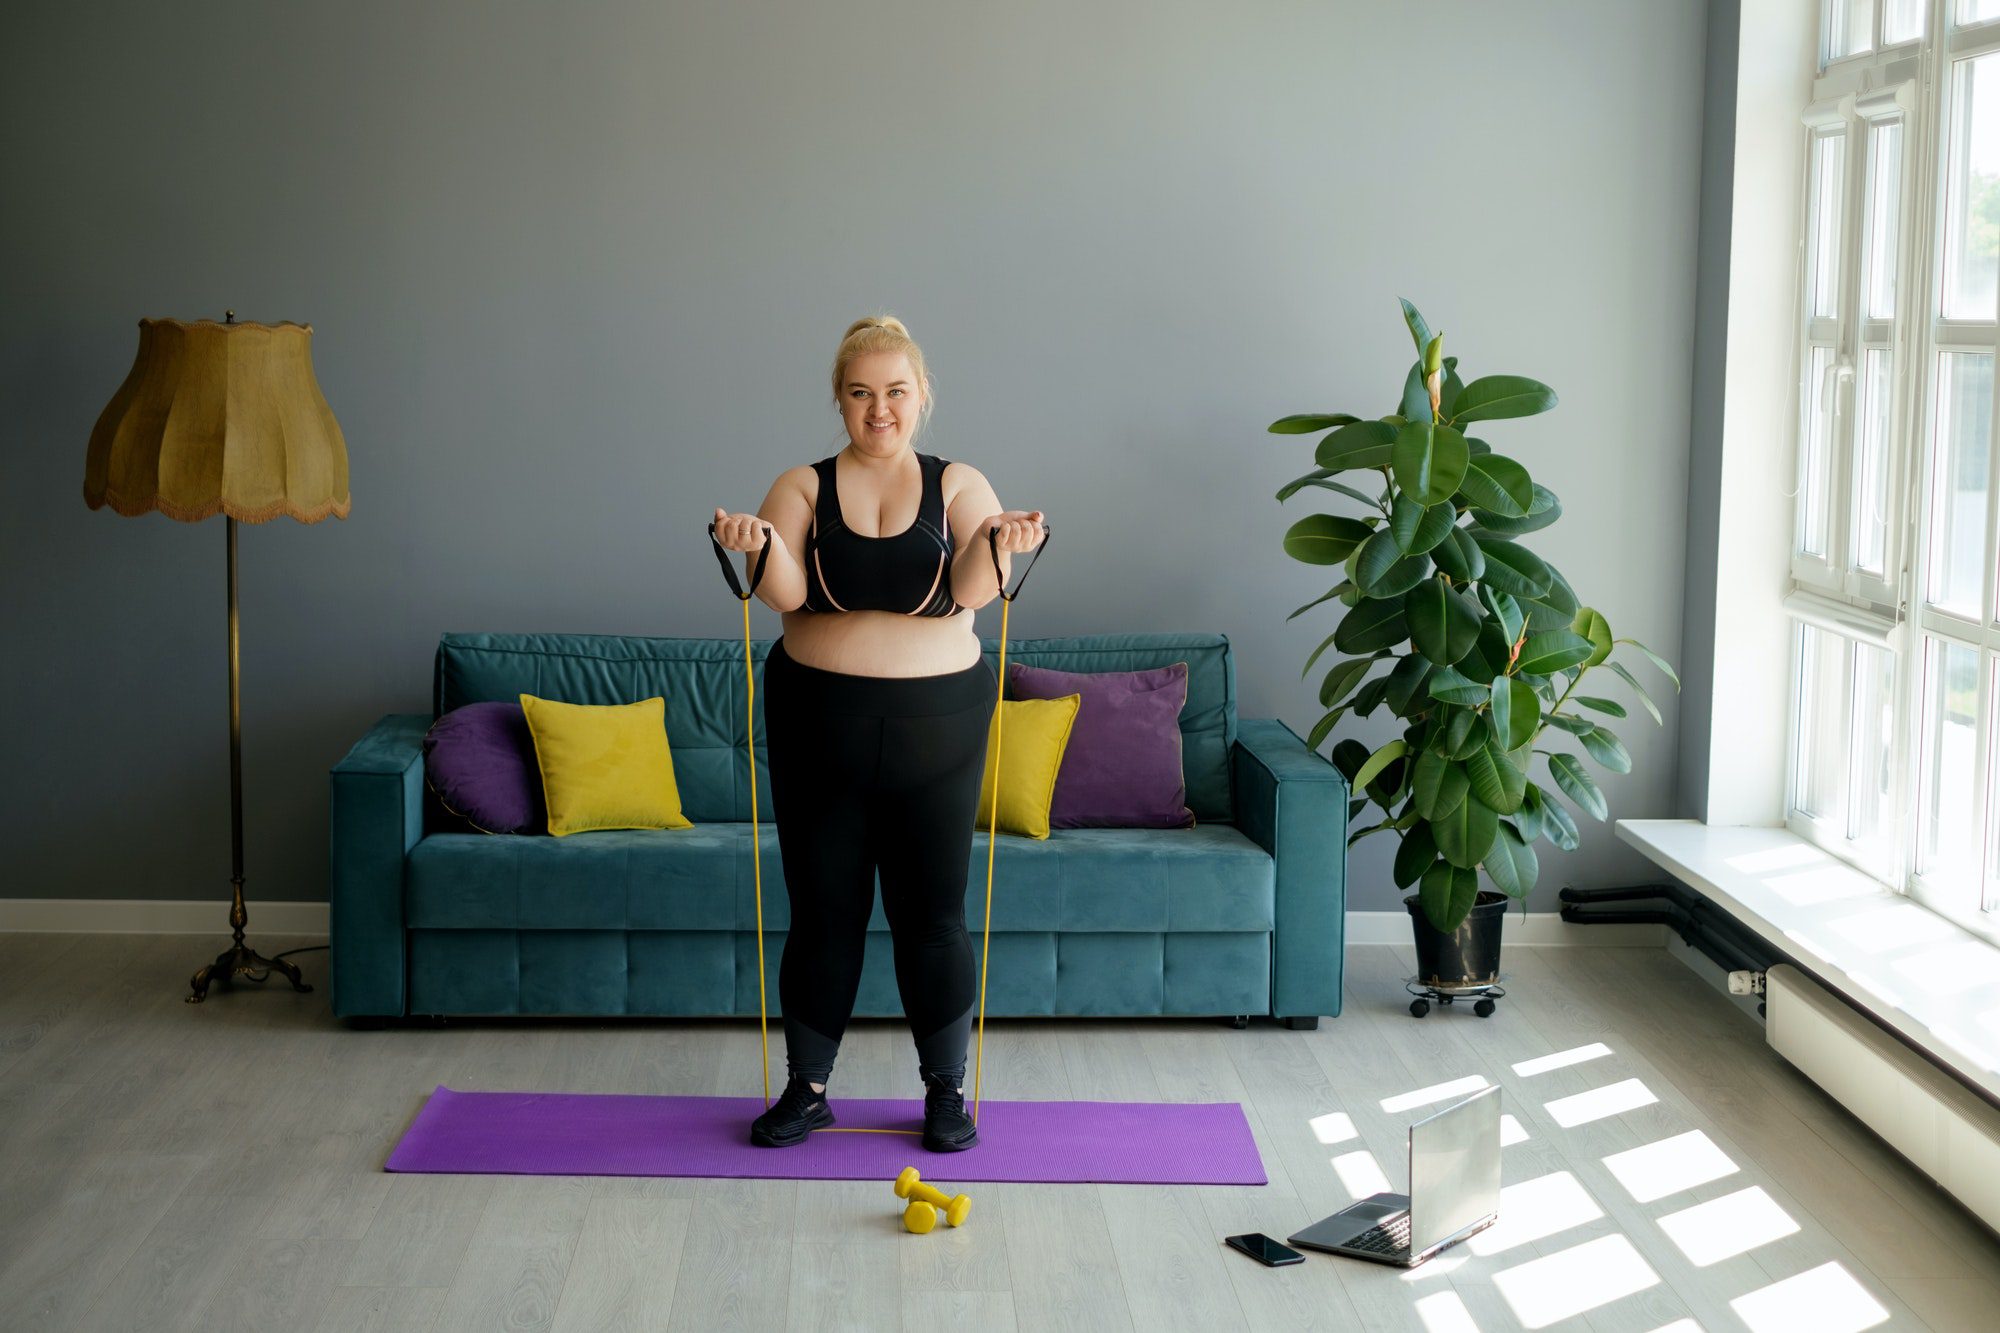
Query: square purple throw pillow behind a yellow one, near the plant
[(1123, 764)]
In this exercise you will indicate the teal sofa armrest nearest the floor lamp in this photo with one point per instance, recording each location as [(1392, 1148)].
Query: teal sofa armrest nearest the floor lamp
[(377, 816)]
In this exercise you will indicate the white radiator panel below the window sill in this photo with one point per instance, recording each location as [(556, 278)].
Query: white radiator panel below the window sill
[(1927, 1116)]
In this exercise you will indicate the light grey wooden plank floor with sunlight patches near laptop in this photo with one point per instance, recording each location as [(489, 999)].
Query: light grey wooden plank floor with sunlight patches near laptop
[(221, 1168)]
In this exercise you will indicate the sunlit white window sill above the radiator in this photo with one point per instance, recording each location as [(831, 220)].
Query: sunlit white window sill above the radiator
[(1915, 972)]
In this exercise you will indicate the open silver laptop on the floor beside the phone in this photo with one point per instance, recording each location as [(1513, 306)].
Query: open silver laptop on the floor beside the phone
[(1455, 1190)]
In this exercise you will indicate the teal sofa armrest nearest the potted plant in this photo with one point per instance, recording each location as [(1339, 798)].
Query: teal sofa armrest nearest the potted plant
[(1295, 804)]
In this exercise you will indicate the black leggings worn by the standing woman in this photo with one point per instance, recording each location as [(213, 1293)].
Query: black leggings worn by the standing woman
[(877, 776)]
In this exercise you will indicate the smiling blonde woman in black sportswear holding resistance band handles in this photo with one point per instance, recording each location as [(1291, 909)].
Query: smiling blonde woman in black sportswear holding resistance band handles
[(877, 708)]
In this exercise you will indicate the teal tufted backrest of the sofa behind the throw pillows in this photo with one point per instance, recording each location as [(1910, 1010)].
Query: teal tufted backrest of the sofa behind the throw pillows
[(703, 684)]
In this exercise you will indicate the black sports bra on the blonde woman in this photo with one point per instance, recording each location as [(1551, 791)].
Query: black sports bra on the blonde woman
[(909, 571)]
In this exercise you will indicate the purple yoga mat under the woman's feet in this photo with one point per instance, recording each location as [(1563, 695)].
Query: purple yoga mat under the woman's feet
[(625, 1134)]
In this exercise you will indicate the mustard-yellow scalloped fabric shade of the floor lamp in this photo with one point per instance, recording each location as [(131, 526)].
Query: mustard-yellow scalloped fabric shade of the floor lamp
[(219, 419)]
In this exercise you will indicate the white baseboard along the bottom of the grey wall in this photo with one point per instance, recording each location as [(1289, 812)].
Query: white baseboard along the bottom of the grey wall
[(201, 918)]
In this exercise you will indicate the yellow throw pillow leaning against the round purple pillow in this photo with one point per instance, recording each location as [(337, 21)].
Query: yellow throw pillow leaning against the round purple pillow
[(605, 766)]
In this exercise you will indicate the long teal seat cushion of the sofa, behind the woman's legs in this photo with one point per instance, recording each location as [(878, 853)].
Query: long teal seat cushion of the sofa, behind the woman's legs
[(1211, 878)]
